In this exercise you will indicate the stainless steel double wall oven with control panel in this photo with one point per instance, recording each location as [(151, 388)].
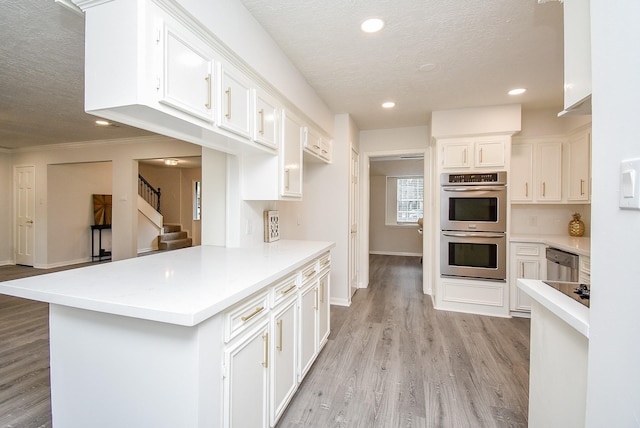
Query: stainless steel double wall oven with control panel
[(473, 223)]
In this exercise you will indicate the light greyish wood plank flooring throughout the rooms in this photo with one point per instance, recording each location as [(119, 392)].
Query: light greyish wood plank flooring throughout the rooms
[(391, 361)]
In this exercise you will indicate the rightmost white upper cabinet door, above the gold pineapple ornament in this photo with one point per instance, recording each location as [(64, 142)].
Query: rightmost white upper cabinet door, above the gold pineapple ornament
[(579, 176)]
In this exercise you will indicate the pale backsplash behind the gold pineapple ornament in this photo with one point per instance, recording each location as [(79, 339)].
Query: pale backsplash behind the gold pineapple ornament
[(547, 219)]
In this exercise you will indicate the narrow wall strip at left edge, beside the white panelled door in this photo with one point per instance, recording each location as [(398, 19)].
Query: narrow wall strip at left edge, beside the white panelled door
[(6, 207)]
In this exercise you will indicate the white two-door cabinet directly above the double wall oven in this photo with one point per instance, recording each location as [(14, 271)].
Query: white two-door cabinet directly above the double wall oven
[(481, 152)]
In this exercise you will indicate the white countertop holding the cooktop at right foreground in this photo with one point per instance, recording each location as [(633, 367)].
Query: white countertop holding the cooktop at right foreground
[(567, 309)]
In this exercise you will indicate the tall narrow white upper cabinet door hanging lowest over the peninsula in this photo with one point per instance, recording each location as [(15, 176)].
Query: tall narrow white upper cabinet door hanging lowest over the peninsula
[(291, 156)]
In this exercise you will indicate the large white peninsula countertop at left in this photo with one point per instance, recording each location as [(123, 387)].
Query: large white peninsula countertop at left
[(182, 287)]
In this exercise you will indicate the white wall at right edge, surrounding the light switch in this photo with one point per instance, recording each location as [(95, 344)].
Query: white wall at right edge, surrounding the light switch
[(613, 394)]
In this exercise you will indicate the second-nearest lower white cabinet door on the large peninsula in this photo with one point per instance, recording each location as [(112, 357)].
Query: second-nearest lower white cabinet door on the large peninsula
[(283, 363)]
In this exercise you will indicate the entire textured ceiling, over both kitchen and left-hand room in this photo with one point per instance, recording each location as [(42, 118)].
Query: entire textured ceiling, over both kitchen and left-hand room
[(476, 51)]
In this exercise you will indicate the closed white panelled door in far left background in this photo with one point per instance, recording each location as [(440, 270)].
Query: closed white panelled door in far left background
[(25, 212)]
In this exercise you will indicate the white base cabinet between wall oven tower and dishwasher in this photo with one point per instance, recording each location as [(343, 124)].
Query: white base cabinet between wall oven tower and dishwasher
[(527, 261)]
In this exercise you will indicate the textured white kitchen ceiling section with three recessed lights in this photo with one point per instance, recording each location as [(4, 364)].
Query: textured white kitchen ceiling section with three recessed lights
[(477, 50)]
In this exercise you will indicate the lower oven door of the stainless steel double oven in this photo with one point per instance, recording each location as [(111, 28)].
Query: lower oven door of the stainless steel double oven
[(479, 255)]
